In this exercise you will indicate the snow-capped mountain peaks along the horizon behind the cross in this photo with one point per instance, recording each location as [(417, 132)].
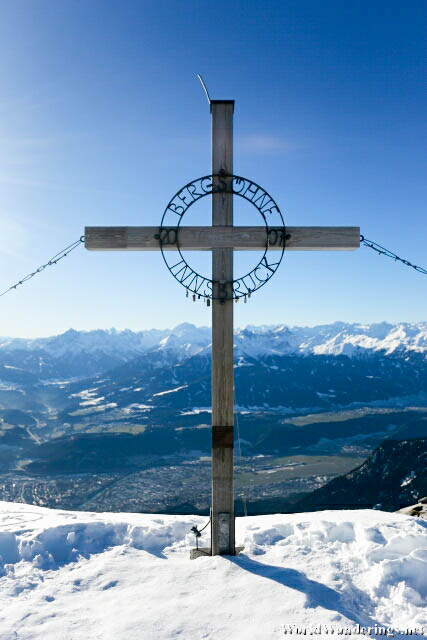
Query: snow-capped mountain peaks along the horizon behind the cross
[(84, 353)]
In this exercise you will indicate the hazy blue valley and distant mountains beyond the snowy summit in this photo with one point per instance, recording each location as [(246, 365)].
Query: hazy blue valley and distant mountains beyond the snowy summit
[(130, 429)]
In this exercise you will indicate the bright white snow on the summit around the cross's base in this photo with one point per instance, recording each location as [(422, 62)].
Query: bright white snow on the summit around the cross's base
[(75, 575)]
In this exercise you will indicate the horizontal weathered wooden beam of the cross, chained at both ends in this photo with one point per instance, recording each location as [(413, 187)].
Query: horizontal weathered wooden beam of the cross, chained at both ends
[(207, 238)]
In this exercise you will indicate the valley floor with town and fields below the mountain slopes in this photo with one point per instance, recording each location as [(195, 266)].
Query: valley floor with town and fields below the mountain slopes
[(280, 462)]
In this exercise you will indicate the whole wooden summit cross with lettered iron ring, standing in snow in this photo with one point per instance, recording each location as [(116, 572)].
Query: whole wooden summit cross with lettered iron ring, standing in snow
[(221, 238)]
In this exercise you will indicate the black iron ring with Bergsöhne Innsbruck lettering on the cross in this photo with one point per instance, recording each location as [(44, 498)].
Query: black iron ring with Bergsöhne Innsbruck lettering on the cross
[(275, 236)]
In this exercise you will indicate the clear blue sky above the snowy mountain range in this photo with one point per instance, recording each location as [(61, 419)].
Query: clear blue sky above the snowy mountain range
[(102, 119)]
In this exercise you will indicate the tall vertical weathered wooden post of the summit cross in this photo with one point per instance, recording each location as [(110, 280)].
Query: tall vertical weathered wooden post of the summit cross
[(222, 523)]
